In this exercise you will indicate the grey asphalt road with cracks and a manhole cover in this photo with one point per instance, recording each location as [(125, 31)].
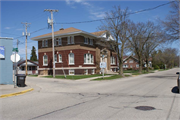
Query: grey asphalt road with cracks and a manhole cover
[(53, 99)]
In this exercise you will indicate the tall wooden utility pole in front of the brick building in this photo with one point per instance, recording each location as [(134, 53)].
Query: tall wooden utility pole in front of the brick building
[(51, 23)]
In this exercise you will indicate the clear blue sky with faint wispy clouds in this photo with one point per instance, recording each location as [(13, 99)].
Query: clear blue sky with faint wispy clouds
[(15, 12)]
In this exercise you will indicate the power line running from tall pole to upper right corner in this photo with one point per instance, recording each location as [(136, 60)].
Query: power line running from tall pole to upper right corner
[(118, 16)]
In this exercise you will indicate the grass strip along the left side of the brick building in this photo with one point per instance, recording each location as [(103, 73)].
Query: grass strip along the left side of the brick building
[(73, 77)]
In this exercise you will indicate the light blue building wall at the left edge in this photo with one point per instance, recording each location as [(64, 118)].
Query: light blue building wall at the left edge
[(6, 65)]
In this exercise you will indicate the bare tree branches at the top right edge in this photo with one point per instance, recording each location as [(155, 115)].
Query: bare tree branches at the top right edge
[(171, 24)]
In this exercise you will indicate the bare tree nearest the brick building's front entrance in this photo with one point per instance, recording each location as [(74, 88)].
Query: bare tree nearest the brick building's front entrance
[(116, 22)]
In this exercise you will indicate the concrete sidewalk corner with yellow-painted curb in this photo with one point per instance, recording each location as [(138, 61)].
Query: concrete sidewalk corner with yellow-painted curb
[(9, 90)]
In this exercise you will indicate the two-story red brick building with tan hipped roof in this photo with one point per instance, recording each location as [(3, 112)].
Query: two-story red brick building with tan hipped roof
[(76, 52)]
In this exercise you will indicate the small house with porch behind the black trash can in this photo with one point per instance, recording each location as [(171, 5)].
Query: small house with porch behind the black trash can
[(32, 67)]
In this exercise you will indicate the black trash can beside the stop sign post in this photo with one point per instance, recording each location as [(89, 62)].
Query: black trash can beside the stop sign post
[(21, 80)]
